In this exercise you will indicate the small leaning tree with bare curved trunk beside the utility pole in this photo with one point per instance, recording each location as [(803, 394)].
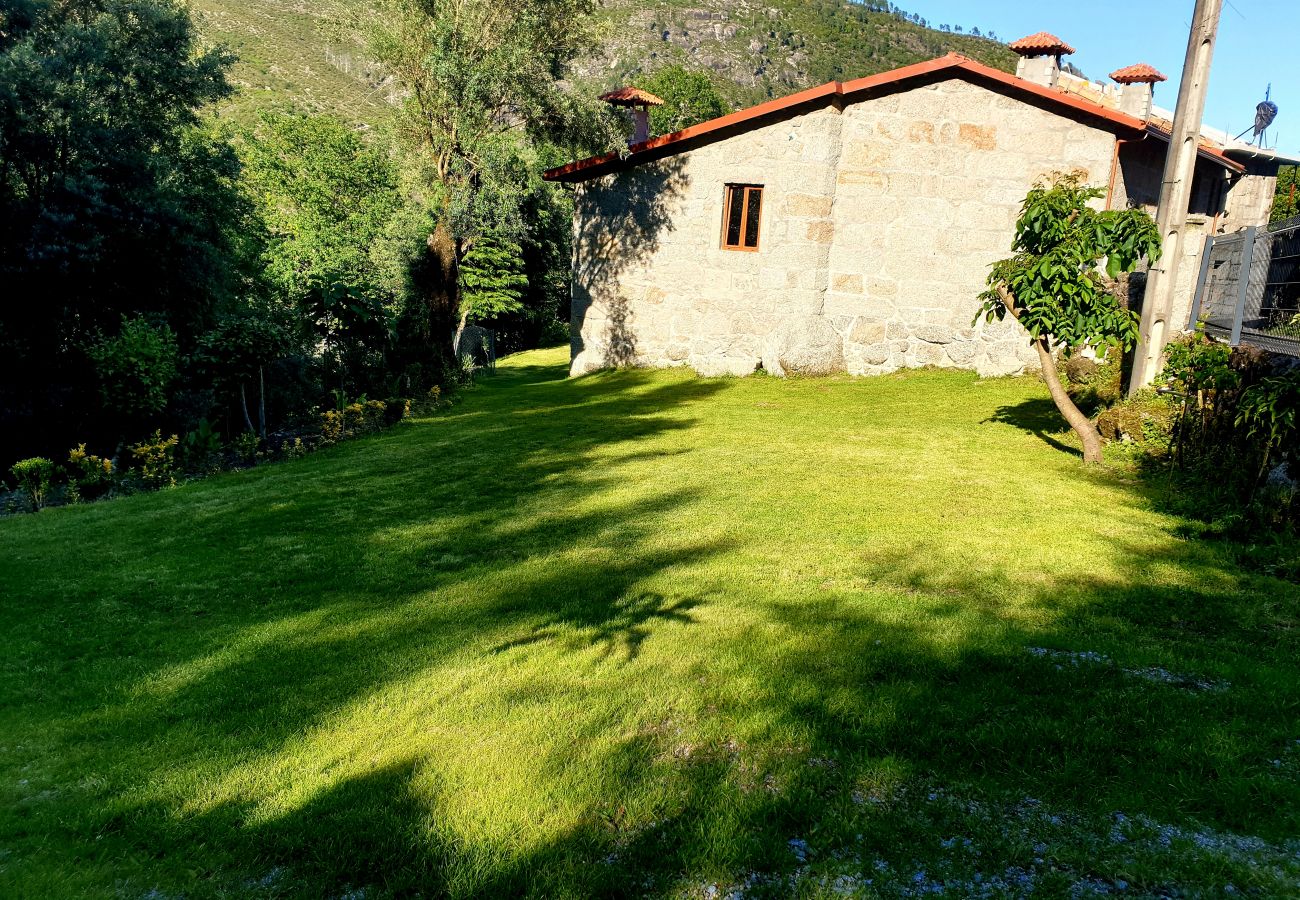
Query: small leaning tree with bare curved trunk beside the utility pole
[(1054, 285)]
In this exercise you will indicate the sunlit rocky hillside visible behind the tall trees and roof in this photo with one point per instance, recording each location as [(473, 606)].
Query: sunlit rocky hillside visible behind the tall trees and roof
[(291, 53)]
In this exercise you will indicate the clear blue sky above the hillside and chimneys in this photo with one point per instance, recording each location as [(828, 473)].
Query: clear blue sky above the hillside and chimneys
[(1259, 42)]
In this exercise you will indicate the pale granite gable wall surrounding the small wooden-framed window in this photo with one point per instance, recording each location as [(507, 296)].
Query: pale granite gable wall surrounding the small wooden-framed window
[(879, 226)]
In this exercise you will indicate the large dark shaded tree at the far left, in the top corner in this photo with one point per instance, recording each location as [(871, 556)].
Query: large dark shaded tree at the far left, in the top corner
[(114, 201)]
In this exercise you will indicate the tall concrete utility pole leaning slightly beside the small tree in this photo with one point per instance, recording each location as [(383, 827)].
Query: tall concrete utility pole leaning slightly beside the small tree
[(1176, 194)]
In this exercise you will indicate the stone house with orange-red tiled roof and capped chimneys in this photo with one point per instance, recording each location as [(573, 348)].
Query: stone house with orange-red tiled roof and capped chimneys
[(851, 227)]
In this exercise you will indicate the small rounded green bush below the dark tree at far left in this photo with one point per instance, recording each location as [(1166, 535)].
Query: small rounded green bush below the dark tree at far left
[(136, 367)]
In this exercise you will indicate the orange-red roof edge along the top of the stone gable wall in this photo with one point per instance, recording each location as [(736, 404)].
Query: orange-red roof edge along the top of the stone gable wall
[(840, 94)]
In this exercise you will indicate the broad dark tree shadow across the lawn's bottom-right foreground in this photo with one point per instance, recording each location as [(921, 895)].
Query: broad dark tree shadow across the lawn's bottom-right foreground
[(857, 738)]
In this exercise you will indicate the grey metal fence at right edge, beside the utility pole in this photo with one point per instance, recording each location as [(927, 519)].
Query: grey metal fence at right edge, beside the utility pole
[(1249, 289)]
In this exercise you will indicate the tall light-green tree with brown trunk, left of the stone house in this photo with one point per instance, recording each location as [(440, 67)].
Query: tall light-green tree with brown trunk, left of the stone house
[(483, 89)]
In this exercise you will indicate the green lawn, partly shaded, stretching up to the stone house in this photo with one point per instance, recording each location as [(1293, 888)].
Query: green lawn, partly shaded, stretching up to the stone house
[(648, 634)]
